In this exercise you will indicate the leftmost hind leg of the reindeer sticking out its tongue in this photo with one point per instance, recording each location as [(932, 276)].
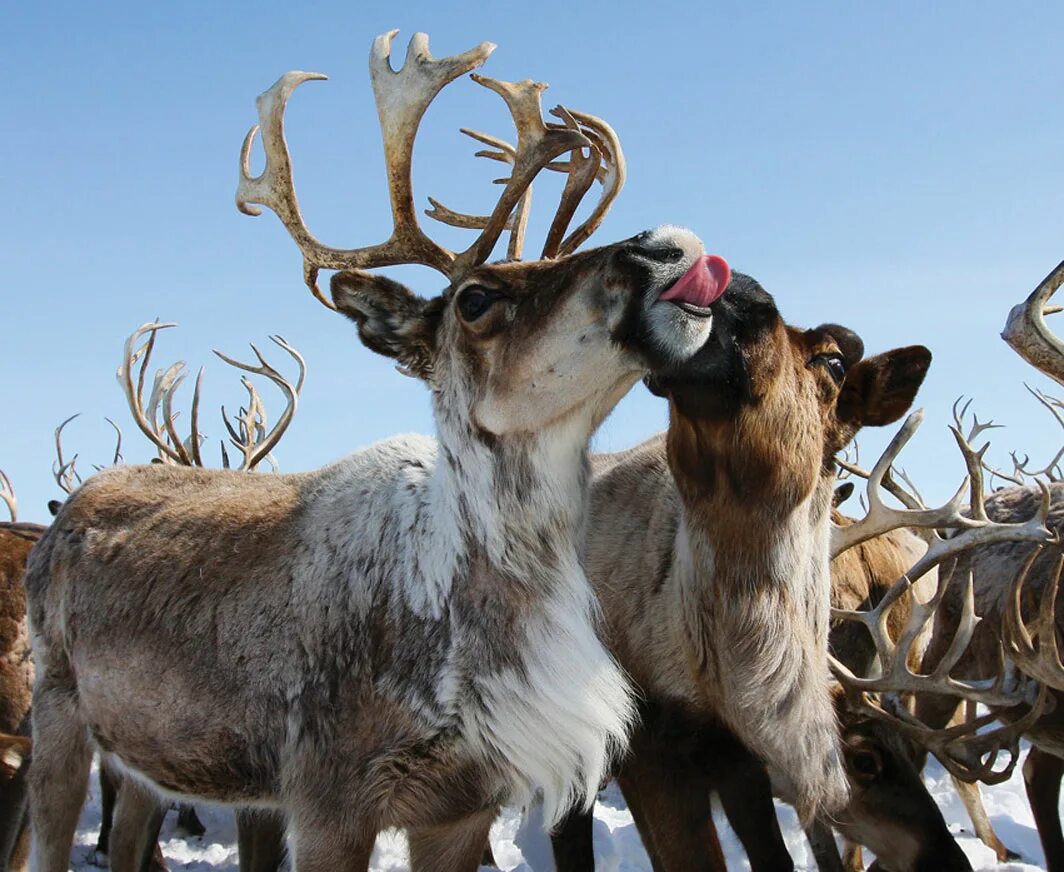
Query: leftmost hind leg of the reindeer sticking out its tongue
[(59, 777)]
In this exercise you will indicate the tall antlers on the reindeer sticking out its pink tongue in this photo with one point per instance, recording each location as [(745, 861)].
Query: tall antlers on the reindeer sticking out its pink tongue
[(403, 98)]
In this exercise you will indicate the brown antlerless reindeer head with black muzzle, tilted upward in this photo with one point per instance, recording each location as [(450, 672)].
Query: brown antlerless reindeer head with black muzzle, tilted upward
[(763, 408)]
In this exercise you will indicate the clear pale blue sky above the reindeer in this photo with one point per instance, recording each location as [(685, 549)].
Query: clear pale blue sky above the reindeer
[(895, 167)]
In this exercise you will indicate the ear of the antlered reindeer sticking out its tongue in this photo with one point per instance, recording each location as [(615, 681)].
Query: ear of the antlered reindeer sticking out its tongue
[(392, 321)]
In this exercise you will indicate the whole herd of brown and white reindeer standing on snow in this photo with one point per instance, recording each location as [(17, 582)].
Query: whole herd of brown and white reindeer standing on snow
[(433, 629)]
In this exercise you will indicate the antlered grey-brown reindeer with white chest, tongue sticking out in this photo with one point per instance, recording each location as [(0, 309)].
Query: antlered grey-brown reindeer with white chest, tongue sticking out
[(388, 641)]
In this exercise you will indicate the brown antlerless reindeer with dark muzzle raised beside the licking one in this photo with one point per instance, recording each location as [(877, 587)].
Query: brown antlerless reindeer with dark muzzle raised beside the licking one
[(708, 547)]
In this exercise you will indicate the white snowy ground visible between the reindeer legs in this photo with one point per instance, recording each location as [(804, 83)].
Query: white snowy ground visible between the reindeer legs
[(521, 846)]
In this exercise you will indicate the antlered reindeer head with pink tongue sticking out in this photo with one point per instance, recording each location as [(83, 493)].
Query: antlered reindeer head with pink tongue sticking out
[(510, 347)]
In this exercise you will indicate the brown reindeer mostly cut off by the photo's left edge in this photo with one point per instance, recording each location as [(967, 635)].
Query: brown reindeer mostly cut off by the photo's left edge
[(16, 677)]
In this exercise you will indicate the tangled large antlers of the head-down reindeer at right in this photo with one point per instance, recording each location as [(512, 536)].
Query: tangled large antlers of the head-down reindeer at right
[(965, 750)]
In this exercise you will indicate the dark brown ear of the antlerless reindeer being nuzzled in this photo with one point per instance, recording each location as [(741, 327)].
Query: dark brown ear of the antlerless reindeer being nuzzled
[(880, 390)]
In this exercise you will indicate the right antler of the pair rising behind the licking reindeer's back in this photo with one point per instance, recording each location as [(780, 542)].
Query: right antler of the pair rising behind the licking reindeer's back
[(252, 435)]
